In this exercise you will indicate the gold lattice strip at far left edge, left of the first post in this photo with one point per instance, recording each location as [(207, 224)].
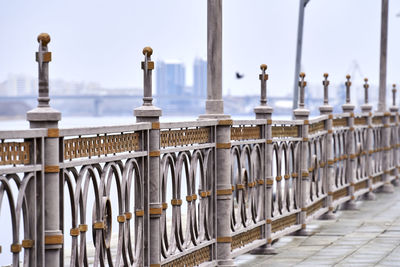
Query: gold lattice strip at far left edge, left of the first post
[(14, 153)]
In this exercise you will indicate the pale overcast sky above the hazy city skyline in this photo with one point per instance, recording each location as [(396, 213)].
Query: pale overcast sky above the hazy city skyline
[(101, 41)]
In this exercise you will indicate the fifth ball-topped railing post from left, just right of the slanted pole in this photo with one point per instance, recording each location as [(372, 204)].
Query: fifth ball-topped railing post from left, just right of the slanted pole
[(326, 109)]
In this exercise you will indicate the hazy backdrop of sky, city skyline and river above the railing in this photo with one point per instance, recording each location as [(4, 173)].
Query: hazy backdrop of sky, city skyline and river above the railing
[(97, 49)]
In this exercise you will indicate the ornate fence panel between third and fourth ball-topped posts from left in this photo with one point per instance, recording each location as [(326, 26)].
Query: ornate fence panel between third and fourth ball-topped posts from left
[(286, 177)]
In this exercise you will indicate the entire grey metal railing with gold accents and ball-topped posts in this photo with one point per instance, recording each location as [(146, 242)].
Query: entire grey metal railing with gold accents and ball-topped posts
[(184, 193)]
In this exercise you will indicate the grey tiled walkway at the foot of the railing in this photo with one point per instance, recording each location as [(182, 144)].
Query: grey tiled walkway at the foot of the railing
[(369, 236)]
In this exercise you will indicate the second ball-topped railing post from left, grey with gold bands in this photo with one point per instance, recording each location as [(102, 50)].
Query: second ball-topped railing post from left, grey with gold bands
[(152, 196)]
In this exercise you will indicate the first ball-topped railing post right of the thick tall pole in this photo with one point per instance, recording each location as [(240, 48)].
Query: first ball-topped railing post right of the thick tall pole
[(263, 111)]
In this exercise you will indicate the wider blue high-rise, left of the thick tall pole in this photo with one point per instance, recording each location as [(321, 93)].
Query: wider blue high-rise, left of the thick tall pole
[(170, 78)]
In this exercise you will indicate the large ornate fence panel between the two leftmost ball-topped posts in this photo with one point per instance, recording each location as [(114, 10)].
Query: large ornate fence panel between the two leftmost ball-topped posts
[(103, 170)]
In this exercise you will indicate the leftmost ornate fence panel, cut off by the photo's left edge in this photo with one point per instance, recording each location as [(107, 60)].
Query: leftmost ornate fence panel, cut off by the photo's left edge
[(21, 197)]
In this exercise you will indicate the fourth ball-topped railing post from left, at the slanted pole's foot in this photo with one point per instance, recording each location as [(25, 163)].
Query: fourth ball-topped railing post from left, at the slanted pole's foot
[(302, 113)]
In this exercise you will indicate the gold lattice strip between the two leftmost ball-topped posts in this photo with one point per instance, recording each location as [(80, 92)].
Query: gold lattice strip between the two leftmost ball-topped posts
[(100, 145)]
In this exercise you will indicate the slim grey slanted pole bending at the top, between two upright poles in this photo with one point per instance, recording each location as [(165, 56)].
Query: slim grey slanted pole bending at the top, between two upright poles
[(299, 44)]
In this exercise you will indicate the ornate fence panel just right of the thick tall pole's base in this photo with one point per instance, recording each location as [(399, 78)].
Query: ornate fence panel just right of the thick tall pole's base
[(247, 178)]
